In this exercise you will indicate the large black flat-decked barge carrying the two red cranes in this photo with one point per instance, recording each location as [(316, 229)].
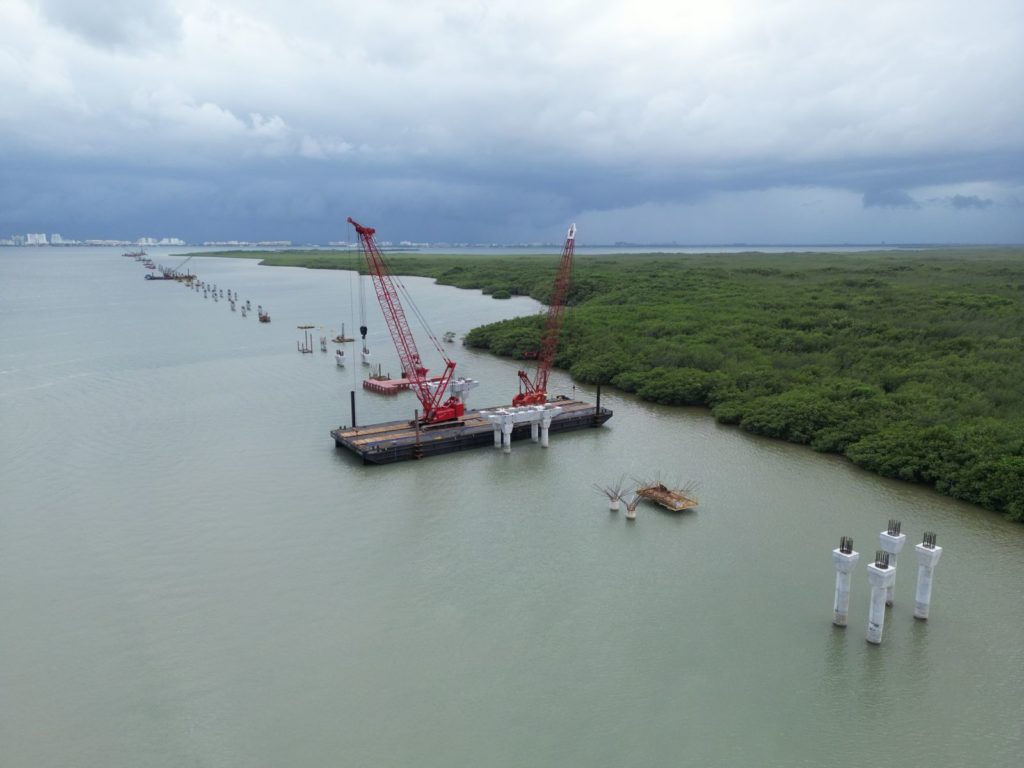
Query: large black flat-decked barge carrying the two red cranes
[(400, 441)]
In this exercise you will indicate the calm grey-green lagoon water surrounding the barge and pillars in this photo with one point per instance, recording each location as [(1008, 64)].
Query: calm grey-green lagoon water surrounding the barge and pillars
[(191, 574)]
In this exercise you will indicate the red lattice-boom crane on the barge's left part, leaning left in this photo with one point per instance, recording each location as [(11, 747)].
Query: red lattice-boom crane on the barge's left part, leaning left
[(430, 393)]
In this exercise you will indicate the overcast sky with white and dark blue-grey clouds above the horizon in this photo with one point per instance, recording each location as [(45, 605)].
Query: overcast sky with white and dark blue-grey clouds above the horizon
[(718, 121)]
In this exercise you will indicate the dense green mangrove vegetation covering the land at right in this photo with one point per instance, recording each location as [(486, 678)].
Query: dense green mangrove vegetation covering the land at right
[(911, 364)]
